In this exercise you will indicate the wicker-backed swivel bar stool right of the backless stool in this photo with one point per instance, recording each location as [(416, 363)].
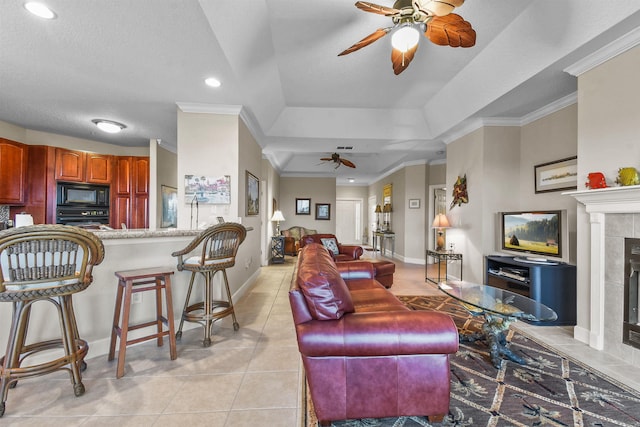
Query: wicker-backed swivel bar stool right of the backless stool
[(218, 247)]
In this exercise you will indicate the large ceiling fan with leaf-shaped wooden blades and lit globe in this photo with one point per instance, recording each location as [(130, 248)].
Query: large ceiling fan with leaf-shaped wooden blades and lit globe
[(412, 17)]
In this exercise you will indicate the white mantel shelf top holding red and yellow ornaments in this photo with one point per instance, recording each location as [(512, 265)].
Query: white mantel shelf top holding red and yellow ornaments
[(609, 200)]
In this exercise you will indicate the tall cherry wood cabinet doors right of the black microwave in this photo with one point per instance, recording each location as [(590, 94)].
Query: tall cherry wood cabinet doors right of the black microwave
[(130, 192)]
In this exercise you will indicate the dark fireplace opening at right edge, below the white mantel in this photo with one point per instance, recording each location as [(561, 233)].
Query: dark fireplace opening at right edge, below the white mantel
[(631, 323)]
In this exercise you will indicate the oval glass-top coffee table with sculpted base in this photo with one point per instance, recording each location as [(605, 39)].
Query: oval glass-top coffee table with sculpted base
[(499, 308)]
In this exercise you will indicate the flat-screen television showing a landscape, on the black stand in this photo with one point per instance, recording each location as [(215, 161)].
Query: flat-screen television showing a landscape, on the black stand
[(534, 236)]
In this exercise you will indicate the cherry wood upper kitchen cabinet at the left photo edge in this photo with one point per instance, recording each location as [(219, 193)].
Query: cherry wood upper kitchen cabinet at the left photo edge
[(13, 171)]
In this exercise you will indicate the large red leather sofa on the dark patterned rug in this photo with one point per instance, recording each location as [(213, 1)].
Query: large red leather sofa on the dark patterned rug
[(365, 354)]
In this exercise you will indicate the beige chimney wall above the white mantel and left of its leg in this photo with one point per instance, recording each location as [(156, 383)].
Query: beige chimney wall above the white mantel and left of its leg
[(608, 128)]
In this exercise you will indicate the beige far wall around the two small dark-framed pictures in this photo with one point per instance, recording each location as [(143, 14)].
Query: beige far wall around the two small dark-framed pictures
[(319, 190)]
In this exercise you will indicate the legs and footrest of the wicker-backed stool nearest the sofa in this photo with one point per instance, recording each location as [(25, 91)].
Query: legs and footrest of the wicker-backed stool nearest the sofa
[(209, 310)]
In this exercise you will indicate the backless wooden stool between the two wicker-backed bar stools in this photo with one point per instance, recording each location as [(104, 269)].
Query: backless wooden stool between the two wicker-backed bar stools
[(129, 283)]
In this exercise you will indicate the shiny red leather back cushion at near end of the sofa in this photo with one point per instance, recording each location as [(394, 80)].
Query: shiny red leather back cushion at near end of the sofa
[(325, 292)]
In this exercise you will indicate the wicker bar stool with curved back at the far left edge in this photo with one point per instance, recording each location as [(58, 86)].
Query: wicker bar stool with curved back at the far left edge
[(45, 263)]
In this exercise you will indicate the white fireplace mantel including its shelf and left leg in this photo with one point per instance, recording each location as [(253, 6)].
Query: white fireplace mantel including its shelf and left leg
[(598, 203)]
